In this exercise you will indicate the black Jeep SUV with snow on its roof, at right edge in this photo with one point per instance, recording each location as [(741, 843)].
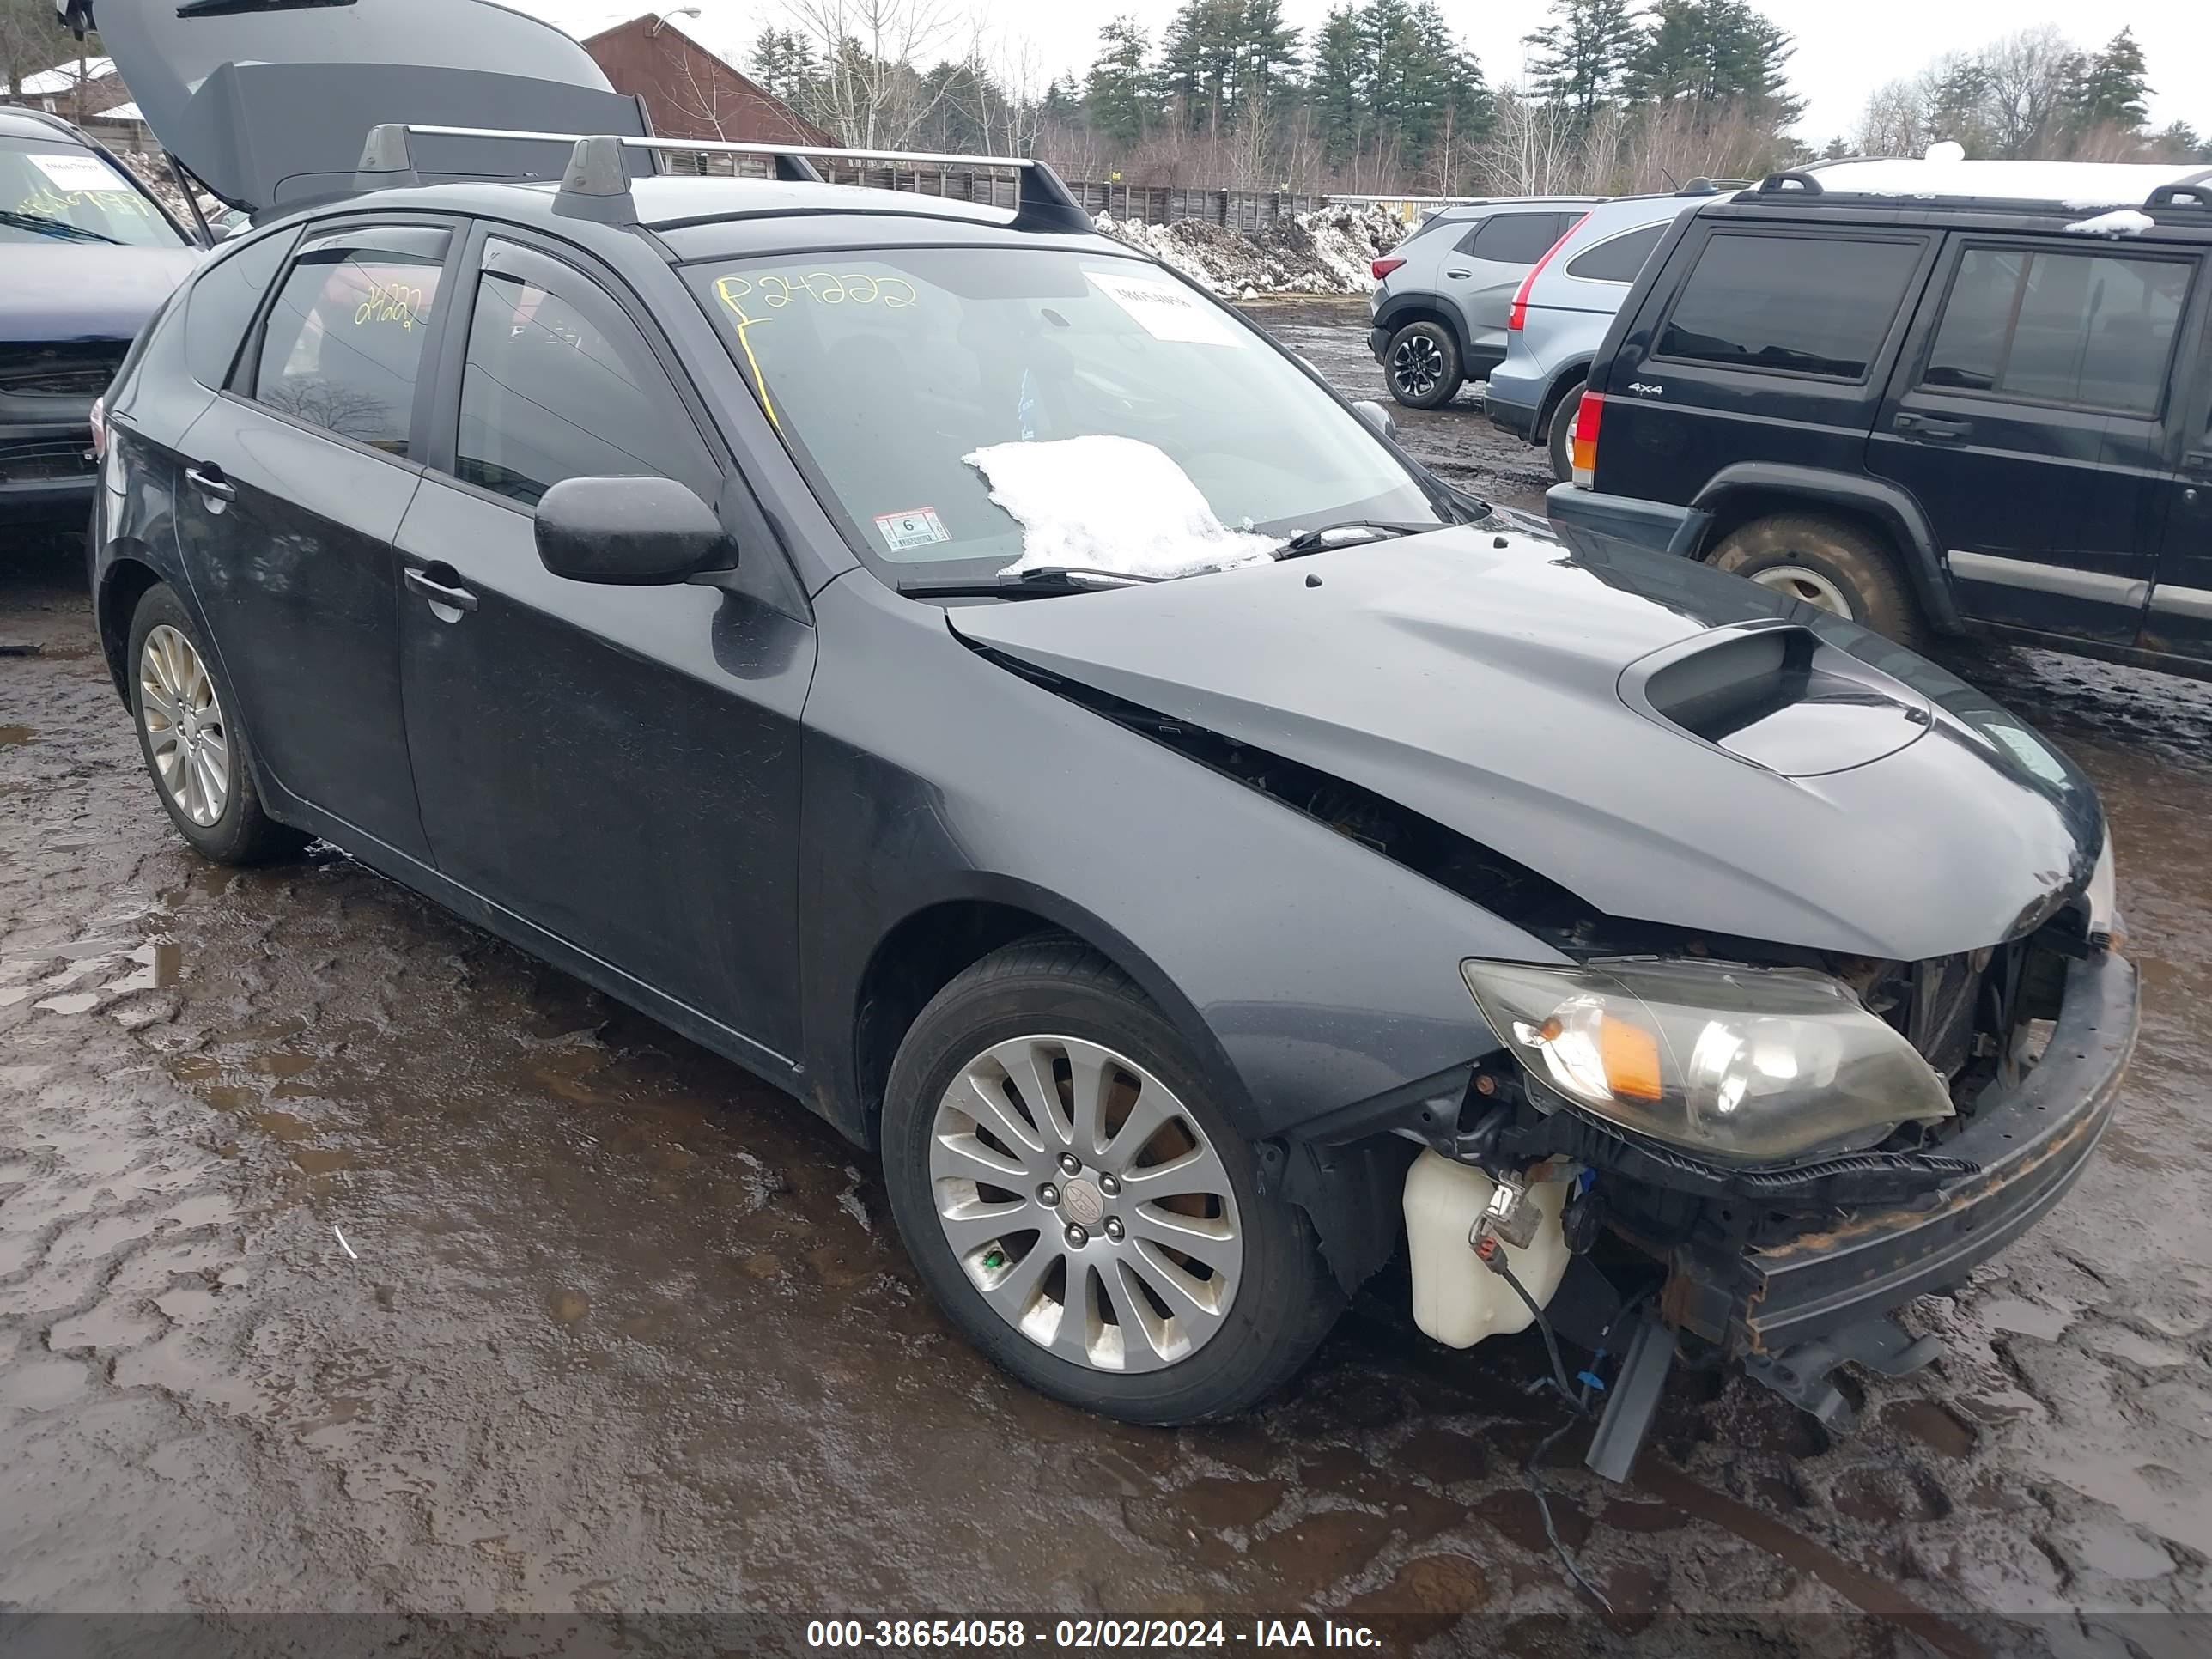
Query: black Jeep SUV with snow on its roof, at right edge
[(1930, 397)]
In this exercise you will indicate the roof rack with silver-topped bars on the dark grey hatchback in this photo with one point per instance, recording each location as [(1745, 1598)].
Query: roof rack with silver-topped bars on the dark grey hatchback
[(598, 180)]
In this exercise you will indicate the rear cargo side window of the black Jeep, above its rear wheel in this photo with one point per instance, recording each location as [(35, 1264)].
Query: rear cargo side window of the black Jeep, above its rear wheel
[(1799, 304)]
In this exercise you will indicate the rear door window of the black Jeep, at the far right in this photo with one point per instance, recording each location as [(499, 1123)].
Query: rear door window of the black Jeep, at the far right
[(2083, 331)]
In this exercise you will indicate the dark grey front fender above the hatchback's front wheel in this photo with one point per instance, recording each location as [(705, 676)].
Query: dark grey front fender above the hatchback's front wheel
[(1306, 970)]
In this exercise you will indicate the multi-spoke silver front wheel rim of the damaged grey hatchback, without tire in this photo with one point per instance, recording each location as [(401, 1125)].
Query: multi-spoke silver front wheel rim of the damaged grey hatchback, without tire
[(1087, 1204)]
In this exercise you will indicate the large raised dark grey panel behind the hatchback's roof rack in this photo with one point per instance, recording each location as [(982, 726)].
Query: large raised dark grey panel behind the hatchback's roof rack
[(271, 105)]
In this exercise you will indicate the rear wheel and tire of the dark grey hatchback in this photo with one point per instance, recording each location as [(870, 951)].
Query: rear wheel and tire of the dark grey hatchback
[(191, 740)]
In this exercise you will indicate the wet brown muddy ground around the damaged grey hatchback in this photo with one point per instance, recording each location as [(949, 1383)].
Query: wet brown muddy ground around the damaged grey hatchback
[(351, 1260)]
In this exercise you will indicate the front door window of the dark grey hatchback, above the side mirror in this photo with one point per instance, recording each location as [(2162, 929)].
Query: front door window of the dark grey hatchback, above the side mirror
[(563, 386)]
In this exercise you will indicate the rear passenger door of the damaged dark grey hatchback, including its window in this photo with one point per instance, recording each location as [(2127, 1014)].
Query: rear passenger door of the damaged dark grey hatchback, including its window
[(295, 483)]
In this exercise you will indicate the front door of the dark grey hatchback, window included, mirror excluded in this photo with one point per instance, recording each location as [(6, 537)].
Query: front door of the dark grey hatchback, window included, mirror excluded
[(616, 766)]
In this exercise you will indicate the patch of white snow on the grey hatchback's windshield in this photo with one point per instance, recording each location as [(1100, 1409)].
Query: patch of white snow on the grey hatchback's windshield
[(1112, 505)]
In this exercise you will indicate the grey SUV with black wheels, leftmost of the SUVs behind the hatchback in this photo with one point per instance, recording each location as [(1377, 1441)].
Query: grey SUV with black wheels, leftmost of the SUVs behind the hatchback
[(1443, 298)]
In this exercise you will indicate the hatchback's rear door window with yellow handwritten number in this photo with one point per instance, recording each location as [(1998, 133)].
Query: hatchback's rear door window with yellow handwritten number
[(344, 342)]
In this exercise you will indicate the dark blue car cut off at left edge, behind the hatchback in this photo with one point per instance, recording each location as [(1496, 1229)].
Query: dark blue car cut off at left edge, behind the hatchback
[(90, 255)]
